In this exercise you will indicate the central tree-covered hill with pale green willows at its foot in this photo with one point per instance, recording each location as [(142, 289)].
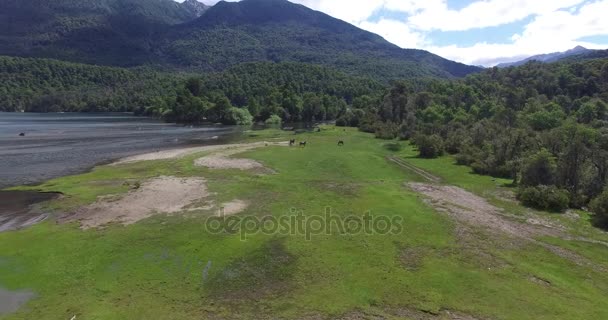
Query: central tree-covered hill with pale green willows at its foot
[(265, 92)]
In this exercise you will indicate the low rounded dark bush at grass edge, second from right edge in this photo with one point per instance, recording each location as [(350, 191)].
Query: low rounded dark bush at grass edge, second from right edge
[(548, 198)]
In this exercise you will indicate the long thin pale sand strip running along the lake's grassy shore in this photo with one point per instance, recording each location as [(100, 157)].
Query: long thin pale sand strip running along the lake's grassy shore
[(183, 152)]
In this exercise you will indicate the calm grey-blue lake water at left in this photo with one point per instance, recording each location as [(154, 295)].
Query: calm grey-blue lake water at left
[(58, 144)]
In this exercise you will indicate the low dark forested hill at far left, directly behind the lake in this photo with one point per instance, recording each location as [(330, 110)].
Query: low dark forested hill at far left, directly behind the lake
[(45, 85)]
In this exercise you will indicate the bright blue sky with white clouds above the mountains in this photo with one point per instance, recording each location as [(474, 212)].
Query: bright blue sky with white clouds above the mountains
[(477, 32)]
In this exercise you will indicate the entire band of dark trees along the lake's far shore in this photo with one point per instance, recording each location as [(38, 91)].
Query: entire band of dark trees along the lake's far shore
[(239, 95)]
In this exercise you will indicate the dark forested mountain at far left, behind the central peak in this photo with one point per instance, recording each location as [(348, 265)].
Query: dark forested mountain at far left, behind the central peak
[(111, 32)]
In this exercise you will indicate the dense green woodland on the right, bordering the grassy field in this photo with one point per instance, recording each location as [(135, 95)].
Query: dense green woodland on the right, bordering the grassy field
[(542, 125)]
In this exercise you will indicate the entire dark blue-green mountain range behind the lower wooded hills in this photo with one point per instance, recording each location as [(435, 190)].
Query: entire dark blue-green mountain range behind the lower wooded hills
[(169, 35)]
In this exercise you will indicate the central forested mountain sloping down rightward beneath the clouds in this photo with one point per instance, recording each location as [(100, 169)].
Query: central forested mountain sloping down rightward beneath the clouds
[(278, 30)]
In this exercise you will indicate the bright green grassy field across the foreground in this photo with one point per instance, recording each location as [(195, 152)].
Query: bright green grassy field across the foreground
[(171, 267)]
